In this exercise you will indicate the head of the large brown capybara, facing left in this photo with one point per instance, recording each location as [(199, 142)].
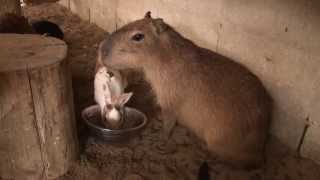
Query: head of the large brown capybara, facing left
[(133, 45)]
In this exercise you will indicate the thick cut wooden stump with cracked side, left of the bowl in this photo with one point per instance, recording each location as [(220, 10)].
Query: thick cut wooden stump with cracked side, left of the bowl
[(37, 125)]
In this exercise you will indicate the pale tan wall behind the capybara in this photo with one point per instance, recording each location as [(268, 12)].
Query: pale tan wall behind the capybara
[(278, 40)]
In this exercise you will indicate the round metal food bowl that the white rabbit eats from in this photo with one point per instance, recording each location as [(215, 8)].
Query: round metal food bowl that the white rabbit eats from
[(92, 117)]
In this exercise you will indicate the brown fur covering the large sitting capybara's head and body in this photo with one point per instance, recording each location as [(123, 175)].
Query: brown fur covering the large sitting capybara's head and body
[(217, 98)]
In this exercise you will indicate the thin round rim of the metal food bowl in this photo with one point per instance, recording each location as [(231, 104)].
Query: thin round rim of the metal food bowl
[(106, 130)]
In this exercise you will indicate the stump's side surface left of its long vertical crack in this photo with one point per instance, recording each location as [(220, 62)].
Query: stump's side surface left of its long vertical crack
[(19, 146)]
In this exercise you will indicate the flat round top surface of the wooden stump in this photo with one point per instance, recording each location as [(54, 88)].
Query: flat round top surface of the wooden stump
[(29, 51)]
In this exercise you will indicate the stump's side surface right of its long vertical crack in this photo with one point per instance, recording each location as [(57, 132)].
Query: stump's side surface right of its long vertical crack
[(54, 117)]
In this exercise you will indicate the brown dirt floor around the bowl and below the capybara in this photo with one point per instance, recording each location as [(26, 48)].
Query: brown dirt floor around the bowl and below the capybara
[(148, 156)]
